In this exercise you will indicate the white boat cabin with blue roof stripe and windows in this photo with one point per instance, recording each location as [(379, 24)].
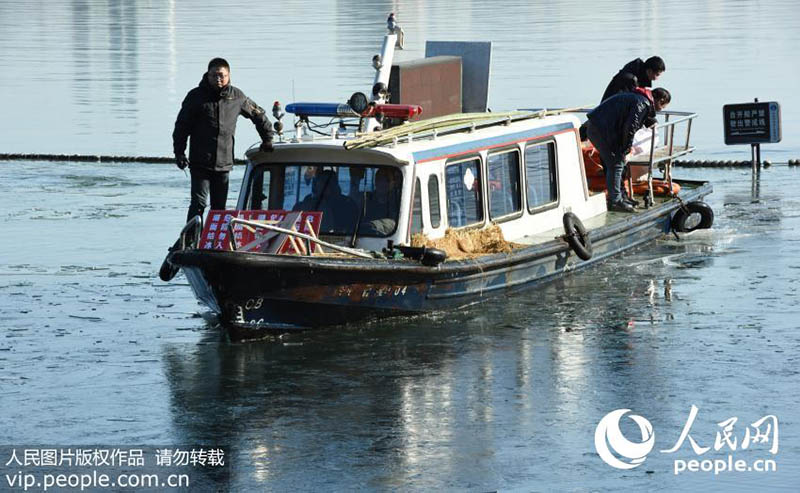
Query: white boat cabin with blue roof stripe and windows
[(522, 175)]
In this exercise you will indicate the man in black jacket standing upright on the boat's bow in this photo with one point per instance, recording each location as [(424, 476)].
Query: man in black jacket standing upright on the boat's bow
[(207, 118)]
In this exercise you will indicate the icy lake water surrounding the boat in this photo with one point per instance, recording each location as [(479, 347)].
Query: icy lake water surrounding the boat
[(95, 350)]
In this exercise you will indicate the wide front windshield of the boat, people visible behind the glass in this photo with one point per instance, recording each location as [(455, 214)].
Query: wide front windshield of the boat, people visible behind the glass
[(367, 196)]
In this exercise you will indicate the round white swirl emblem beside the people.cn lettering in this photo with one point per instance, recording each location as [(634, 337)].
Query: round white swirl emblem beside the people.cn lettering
[(614, 448)]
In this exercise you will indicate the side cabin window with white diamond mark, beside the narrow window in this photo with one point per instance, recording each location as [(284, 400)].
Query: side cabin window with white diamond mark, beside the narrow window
[(463, 186)]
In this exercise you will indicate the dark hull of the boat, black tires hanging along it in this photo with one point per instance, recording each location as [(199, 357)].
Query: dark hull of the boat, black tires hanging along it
[(257, 294)]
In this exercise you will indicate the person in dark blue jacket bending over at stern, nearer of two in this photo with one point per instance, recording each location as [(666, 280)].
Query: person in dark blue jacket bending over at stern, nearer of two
[(610, 128)]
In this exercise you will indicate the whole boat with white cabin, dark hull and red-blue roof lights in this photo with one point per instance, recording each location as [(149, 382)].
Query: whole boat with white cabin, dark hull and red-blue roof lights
[(337, 228)]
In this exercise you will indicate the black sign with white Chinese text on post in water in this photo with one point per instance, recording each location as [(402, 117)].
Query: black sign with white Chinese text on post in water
[(755, 124)]
